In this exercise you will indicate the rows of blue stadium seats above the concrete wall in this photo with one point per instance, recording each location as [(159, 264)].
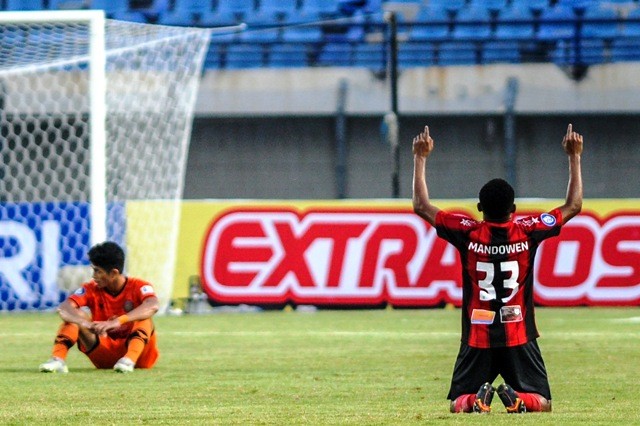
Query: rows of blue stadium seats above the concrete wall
[(303, 33)]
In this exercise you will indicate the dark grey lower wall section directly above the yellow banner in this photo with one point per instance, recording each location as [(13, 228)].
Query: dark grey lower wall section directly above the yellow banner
[(294, 157)]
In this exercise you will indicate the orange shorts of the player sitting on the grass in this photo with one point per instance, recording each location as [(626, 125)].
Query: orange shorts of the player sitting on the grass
[(108, 351)]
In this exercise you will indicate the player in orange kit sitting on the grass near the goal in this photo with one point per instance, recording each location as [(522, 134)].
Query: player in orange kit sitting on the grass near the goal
[(119, 333)]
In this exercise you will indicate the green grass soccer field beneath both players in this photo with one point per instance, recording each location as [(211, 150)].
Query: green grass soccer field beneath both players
[(325, 367)]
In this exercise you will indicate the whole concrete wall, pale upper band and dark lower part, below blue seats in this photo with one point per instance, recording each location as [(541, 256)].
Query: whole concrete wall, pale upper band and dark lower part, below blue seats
[(271, 133)]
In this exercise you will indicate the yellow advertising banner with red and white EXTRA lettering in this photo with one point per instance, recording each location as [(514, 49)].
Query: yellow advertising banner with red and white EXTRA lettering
[(368, 253)]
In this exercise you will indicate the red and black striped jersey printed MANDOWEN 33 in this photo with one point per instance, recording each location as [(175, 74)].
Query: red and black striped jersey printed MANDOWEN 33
[(497, 274)]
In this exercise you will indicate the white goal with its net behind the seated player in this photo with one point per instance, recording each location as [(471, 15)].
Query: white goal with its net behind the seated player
[(95, 122)]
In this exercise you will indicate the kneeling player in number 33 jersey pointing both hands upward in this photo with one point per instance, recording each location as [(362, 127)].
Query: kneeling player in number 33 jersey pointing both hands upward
[(497, 255)]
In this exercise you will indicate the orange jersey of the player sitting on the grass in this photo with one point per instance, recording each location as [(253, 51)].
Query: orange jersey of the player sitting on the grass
[(105, 306)]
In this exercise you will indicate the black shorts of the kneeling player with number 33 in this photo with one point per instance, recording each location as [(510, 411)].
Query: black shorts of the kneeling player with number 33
[(521, 367)]
